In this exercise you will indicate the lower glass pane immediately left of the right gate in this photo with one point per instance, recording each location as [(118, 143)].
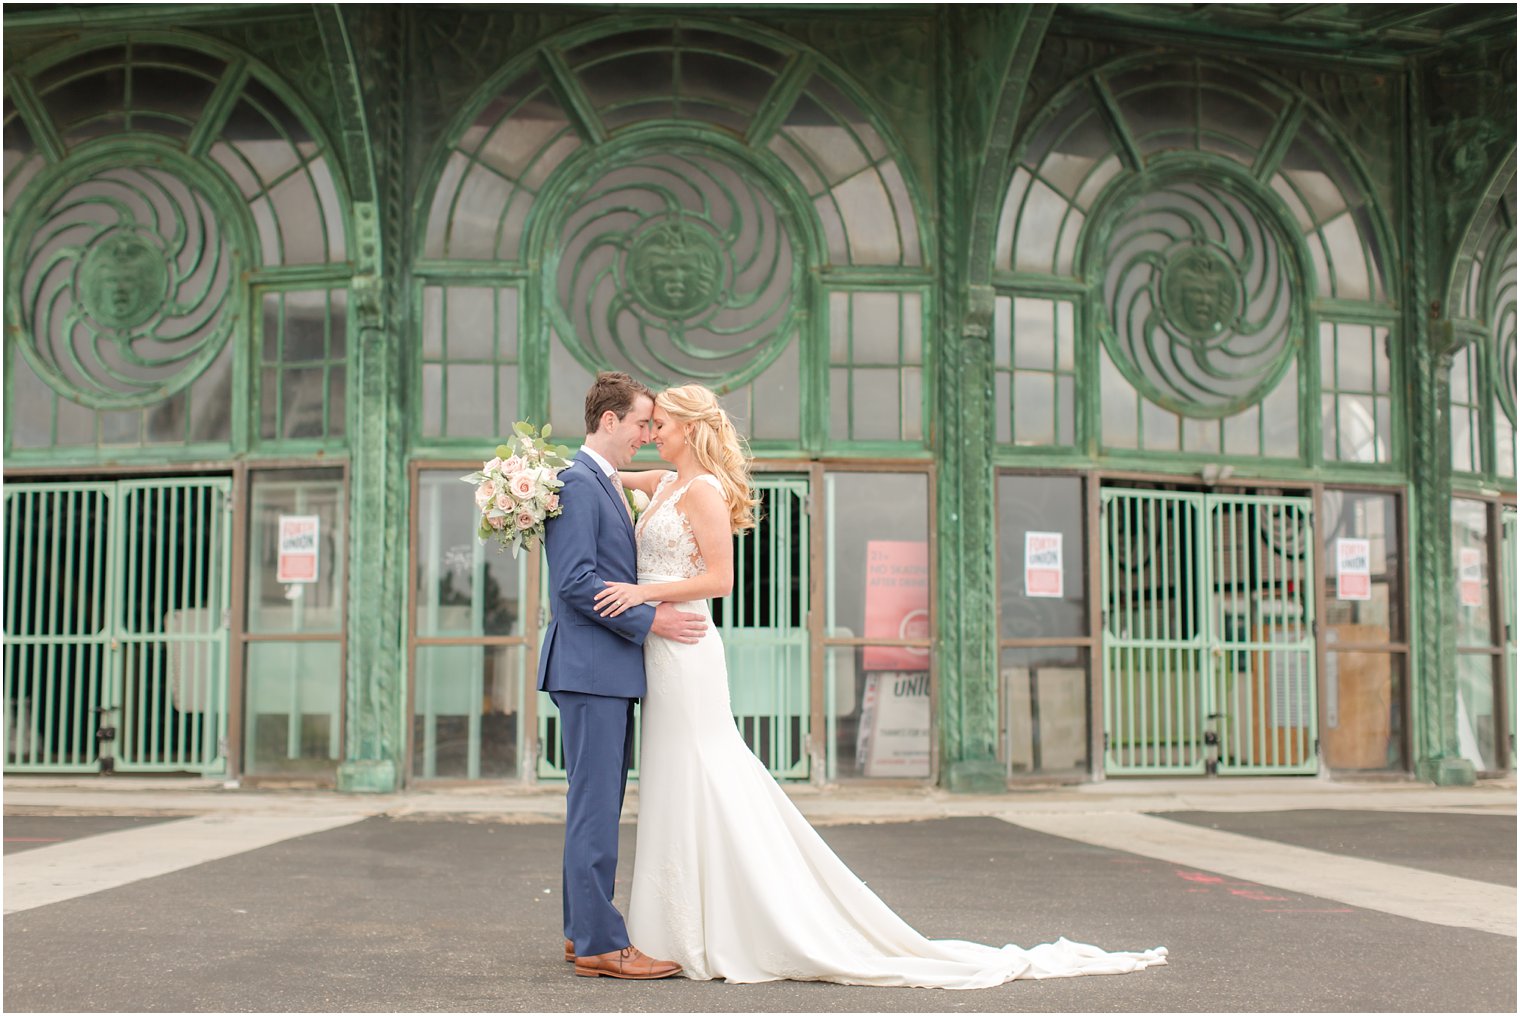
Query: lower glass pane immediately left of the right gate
[(1045, 711)]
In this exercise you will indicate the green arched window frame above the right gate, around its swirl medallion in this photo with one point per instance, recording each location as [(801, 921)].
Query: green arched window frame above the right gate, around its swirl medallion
[(1364, 311)]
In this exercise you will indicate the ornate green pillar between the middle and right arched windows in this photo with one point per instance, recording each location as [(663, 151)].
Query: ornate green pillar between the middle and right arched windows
[(977, 118)]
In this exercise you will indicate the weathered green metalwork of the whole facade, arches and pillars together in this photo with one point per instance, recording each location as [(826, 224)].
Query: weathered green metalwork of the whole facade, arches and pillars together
[(1405, 98)]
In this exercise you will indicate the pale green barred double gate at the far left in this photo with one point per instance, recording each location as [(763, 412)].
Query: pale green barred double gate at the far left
[(118, 626)]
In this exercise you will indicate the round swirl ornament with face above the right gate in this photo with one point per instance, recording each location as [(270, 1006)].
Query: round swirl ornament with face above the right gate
[(1199, 297)]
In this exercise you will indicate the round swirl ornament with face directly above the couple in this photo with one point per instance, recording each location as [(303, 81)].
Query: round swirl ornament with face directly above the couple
[(676, 265)]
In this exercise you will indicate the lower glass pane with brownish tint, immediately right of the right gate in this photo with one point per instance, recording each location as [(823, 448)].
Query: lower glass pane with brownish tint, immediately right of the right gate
[(1364, 710)]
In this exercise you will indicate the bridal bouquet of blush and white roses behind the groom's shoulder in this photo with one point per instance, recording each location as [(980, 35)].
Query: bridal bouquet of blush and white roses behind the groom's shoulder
[(519, 489)]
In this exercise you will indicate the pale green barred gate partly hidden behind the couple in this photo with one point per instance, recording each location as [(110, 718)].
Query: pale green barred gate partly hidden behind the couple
[(764, 624)]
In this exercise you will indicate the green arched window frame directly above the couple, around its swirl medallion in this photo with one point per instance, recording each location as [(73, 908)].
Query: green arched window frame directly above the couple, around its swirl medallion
[(527, 375)]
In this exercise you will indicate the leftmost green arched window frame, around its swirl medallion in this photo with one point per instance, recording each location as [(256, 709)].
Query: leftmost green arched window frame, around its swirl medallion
[(258, 209)]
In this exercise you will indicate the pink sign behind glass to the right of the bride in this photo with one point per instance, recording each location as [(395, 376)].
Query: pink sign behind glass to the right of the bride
[(896, 603)]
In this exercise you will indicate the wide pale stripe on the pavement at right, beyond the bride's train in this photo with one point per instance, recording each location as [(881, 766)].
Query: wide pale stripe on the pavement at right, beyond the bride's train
[(1392, 889)]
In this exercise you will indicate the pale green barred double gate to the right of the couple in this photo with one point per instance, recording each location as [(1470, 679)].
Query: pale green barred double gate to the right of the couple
[(1209, 635)]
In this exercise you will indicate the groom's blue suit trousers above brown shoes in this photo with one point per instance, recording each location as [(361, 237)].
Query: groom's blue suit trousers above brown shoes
[(598, 735)]
